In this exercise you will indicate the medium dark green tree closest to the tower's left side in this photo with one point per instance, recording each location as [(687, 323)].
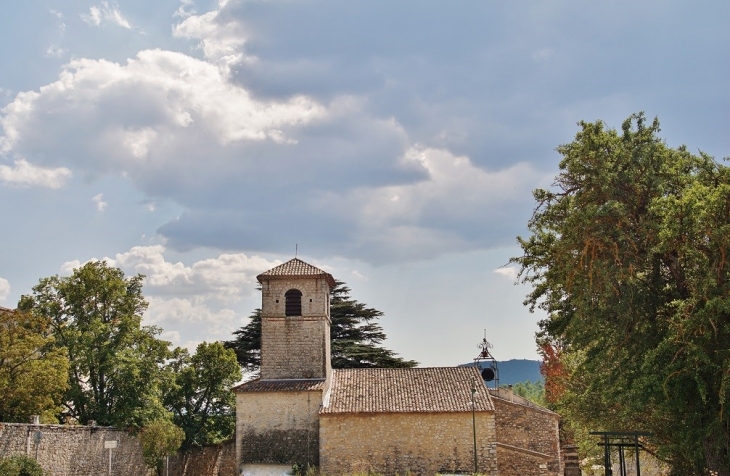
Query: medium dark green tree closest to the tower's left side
[(199, 393)]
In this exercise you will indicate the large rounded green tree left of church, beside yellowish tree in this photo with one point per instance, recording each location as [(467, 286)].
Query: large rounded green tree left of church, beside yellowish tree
[(115, 363)]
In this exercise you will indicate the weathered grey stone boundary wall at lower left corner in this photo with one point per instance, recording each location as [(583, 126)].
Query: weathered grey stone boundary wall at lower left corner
[(74, 450)]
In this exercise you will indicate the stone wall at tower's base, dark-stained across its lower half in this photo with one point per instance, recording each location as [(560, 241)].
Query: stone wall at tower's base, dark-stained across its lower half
[(278, 427)]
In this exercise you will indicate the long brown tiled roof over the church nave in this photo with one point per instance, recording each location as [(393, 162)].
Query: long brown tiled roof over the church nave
[(438, 389)]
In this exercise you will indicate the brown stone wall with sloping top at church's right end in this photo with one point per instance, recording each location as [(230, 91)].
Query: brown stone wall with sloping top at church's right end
[(528, 427)]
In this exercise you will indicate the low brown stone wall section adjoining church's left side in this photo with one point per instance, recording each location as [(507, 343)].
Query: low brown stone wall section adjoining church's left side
[(214, 460)]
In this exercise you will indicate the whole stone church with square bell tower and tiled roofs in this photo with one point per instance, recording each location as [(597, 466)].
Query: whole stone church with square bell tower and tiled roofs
[(345, 421)]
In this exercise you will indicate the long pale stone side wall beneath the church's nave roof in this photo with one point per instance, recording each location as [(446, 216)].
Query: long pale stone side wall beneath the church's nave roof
[(398, 443)]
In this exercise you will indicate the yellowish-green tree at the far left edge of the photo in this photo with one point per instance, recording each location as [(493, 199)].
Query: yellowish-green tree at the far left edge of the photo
[(33, 374)]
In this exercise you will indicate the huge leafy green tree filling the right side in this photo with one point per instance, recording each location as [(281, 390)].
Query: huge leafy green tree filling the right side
[(628, 254)]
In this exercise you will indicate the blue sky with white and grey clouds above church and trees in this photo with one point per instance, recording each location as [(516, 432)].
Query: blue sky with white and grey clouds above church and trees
[(393, 144)]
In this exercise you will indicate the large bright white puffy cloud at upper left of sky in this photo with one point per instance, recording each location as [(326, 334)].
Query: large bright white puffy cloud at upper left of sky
[(129, 112)]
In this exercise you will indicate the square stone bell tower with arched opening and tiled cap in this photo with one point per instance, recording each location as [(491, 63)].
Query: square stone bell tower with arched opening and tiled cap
[(295, 322)]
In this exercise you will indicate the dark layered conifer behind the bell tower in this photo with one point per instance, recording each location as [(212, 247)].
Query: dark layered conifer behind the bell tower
[(355, 334)]
